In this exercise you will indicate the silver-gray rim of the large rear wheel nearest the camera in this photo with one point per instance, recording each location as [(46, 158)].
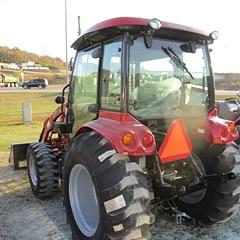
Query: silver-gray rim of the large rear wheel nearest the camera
[(83, 200)]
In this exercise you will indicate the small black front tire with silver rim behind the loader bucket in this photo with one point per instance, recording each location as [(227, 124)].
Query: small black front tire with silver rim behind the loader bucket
[(42, 170)]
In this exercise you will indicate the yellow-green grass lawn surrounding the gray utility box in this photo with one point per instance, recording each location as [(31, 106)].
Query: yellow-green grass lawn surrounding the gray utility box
[(12, 129)]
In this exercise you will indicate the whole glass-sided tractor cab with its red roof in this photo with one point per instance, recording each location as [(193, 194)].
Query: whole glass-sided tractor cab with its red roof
[(153, 71)]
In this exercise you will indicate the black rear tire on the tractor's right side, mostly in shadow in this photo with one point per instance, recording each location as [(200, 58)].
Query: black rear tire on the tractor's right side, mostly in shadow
[(221, 200)]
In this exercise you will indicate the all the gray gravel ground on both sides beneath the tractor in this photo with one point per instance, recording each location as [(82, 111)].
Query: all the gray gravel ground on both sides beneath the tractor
[(23, 217)]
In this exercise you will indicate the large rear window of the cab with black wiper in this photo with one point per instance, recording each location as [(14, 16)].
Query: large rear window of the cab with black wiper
[(168, 76)]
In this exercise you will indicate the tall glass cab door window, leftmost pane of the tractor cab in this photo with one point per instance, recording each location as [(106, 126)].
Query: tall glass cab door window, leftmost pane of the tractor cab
[(84, 88)]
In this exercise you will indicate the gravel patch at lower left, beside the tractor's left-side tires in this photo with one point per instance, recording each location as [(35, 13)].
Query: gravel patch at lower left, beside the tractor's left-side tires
[(24, 217)]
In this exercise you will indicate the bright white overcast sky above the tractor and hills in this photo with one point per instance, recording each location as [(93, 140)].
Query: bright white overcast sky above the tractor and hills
[(39, 25)]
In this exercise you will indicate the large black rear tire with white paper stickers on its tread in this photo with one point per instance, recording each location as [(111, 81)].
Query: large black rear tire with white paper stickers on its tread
[(121, 190)]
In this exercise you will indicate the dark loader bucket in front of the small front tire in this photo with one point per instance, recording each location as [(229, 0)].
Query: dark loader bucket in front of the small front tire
[(18, 155)]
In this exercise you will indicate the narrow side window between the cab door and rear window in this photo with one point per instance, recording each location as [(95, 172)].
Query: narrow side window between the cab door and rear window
[(111, 76)]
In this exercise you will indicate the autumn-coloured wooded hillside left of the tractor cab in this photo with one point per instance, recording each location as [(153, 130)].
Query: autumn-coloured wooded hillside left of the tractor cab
[(18, 56)]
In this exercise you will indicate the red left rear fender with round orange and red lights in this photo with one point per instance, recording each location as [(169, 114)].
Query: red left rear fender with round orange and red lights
[(114, 125)]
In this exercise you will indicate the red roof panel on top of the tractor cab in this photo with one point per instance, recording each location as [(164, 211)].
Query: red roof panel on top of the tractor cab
[(115, 26)]
